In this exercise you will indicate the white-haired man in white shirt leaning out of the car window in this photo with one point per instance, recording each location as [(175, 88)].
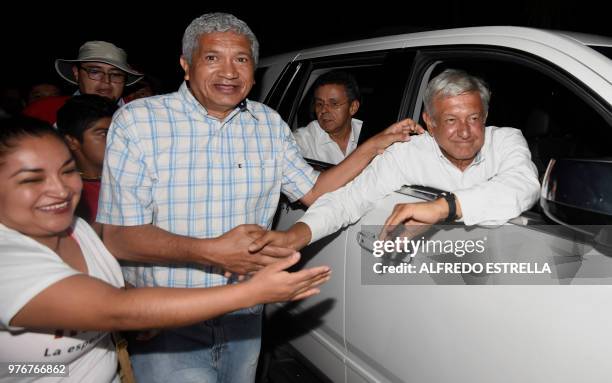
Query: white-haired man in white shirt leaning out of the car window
[(487, 169)]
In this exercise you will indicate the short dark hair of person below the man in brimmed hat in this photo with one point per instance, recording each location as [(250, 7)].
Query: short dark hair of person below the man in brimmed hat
[(80, 112)]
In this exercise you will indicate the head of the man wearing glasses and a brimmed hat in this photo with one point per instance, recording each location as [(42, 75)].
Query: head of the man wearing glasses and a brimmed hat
[(101, 68)]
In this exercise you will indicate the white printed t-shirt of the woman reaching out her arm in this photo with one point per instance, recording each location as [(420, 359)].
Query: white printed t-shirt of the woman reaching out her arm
[(28, 268)]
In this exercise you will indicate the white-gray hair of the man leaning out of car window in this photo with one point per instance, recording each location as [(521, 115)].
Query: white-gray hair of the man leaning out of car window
[(454, 82)]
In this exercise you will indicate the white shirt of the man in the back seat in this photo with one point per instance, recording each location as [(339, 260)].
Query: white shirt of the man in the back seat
[(316, 144)]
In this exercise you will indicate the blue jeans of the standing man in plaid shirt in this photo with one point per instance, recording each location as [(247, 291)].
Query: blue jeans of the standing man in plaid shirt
[(224, 349)]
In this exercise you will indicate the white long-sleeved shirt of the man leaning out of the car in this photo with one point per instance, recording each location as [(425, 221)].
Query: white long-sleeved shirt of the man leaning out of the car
[(500, 184)]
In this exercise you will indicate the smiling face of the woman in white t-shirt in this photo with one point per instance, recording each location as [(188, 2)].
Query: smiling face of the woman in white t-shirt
[(40, 187)]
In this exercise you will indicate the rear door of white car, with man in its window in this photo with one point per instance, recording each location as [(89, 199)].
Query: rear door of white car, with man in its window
[(320, 322)]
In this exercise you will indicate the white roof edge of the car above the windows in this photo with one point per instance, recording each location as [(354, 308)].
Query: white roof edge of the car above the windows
[(569, 50)]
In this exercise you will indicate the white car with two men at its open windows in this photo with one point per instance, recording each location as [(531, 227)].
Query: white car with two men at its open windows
[(438, 333)]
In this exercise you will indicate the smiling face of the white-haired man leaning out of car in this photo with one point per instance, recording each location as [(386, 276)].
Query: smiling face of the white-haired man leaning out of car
[(457, 124)]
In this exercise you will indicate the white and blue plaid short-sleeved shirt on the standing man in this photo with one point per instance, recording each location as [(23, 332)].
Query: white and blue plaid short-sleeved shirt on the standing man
[(171, 164)]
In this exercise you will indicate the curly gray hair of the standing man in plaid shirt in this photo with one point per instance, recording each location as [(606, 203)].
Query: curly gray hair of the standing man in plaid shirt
[(217, 22)]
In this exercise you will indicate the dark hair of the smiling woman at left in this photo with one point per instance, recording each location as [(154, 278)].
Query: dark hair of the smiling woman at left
[(14, 129)]
